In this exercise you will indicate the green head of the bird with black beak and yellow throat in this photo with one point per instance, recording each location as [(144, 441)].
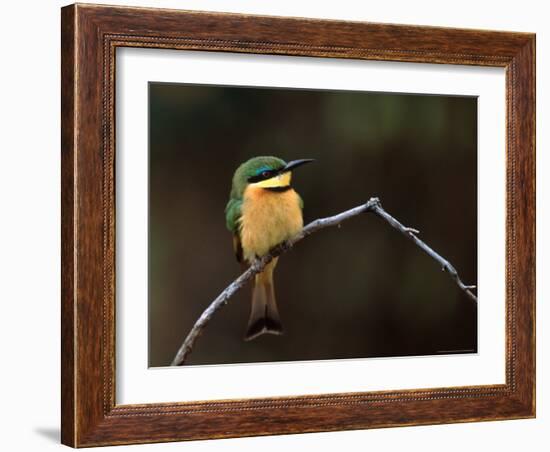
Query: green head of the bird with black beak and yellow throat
[(264, 172)]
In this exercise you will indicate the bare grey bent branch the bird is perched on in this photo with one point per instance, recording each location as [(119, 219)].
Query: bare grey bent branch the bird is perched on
[(373, 205)]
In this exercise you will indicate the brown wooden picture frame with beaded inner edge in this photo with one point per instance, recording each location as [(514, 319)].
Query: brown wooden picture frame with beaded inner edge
[(90, 36)]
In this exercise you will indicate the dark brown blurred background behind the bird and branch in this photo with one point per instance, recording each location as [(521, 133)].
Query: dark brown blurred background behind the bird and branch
[(362, 290)]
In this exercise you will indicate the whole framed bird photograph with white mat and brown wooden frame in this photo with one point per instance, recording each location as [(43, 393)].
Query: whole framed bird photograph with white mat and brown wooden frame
[(281, 225)]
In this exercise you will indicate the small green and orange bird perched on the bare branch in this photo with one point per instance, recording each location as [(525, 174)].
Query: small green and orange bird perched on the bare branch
[(263, 211)]
